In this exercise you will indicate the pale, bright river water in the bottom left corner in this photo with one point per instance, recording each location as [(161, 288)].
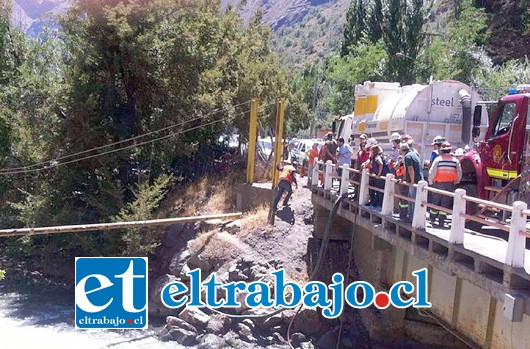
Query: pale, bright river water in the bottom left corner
[(42, 322)]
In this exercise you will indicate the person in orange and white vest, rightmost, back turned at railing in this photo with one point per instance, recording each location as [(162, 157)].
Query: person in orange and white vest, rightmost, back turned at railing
[(444, 174)]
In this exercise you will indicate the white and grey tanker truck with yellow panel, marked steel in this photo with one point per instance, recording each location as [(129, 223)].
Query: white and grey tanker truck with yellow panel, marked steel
[(422, 111)]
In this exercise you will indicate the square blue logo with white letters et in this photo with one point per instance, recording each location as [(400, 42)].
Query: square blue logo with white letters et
[(111, 292)]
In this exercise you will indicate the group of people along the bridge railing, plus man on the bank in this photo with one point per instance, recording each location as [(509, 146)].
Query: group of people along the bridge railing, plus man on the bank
[(444, 170)]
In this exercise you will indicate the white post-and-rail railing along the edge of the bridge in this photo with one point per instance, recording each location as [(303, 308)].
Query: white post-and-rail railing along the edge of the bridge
[(357, 182)]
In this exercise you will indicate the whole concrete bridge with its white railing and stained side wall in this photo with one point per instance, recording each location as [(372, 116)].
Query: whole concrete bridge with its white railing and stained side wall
[(479, 285)]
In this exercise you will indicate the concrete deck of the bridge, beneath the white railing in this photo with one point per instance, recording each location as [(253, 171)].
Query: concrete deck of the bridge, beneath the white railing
[(480, 252)]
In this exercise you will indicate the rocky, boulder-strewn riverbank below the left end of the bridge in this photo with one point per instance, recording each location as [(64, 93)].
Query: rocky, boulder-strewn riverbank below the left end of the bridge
[(249, 250)]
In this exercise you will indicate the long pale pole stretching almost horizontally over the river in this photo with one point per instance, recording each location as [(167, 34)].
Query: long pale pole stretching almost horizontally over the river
[(111, 226)]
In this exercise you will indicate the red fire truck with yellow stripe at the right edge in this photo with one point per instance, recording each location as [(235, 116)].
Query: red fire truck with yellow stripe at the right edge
[(499, 167)]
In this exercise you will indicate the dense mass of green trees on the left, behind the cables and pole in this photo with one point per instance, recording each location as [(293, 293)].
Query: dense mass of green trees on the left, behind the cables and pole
[(122, 69)]
